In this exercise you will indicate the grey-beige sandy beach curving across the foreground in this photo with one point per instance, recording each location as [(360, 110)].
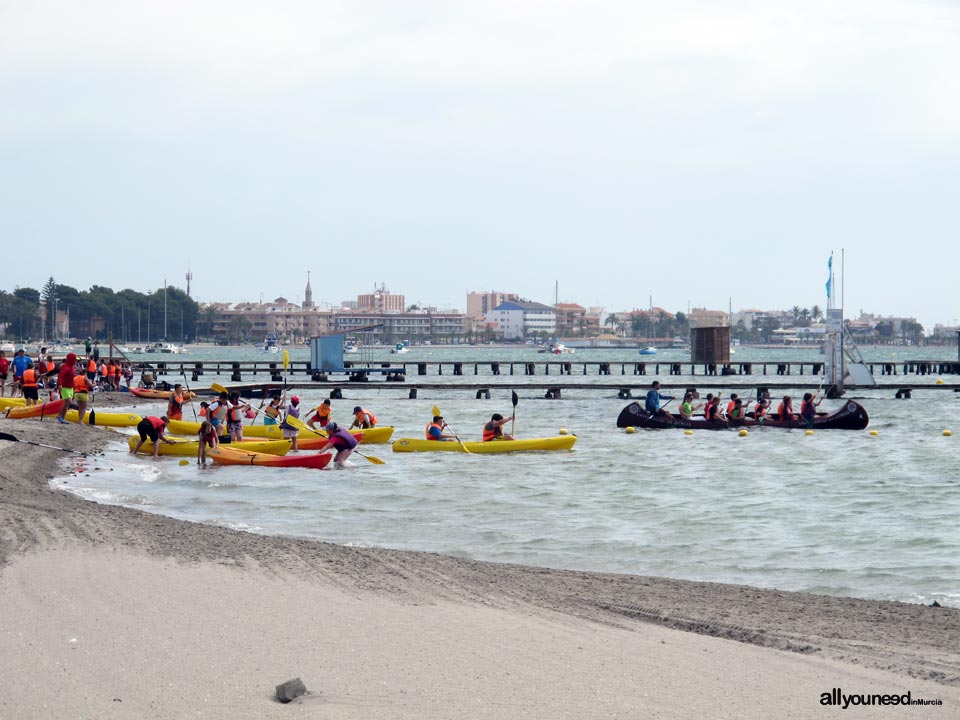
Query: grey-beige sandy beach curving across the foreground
[(109, 612)]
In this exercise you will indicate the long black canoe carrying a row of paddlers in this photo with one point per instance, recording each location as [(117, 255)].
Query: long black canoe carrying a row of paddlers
[(851, 416)]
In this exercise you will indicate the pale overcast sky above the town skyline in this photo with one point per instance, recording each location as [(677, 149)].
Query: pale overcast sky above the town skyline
[(688, 152)]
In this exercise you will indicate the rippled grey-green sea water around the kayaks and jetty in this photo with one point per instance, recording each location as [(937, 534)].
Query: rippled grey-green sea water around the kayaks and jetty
[(836, 512)]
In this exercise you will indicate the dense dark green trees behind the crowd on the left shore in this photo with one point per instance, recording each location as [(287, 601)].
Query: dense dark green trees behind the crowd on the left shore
[(58, 311)]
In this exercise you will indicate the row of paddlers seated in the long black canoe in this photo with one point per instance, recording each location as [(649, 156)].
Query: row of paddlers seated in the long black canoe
[(736, 408)]
